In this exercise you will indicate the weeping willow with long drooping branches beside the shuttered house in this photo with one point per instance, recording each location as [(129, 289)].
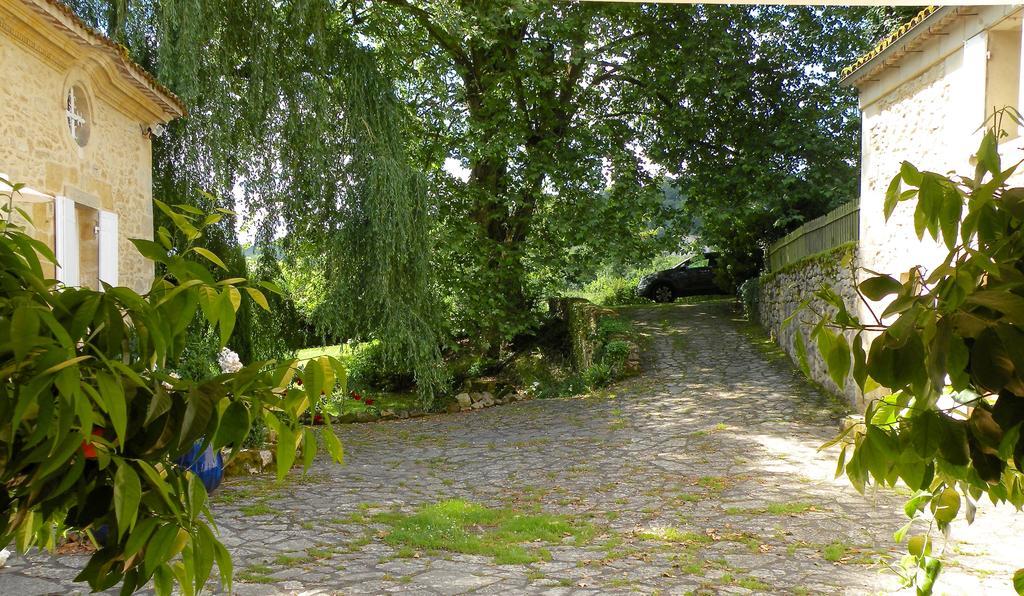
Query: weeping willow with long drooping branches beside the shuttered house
[(291, 122)]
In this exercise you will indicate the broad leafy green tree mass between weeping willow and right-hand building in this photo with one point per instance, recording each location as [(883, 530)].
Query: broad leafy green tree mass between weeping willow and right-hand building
[(548, 105)]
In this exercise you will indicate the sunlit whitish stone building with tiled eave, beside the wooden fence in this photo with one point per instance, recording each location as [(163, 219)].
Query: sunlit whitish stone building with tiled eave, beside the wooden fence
[(925, 94)]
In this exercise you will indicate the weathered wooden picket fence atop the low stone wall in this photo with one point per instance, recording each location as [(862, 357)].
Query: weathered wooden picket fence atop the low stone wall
[(838, 227)]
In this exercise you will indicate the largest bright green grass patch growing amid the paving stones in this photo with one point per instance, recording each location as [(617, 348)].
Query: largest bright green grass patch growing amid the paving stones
[(506, 535)]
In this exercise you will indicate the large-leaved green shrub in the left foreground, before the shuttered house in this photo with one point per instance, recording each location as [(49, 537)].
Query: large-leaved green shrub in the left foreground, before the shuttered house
[(93, 419)]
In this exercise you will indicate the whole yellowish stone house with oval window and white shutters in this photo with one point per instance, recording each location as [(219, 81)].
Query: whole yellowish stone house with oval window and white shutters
[(77, 119)]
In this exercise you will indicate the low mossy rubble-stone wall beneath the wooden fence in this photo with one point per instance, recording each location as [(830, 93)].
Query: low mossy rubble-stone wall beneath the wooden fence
[(781, 293)]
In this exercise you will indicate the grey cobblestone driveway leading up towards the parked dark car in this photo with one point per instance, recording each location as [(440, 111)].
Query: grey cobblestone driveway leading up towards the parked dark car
[(716, 442)]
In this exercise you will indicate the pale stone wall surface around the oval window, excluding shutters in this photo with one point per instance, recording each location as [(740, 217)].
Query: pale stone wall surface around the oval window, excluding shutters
[(112, 173)]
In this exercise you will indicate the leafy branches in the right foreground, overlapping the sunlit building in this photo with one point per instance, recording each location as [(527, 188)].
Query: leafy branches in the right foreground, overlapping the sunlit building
[(948, 348)]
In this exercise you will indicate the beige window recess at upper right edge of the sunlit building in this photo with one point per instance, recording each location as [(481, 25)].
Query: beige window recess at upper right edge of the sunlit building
[(1004, 74)]
